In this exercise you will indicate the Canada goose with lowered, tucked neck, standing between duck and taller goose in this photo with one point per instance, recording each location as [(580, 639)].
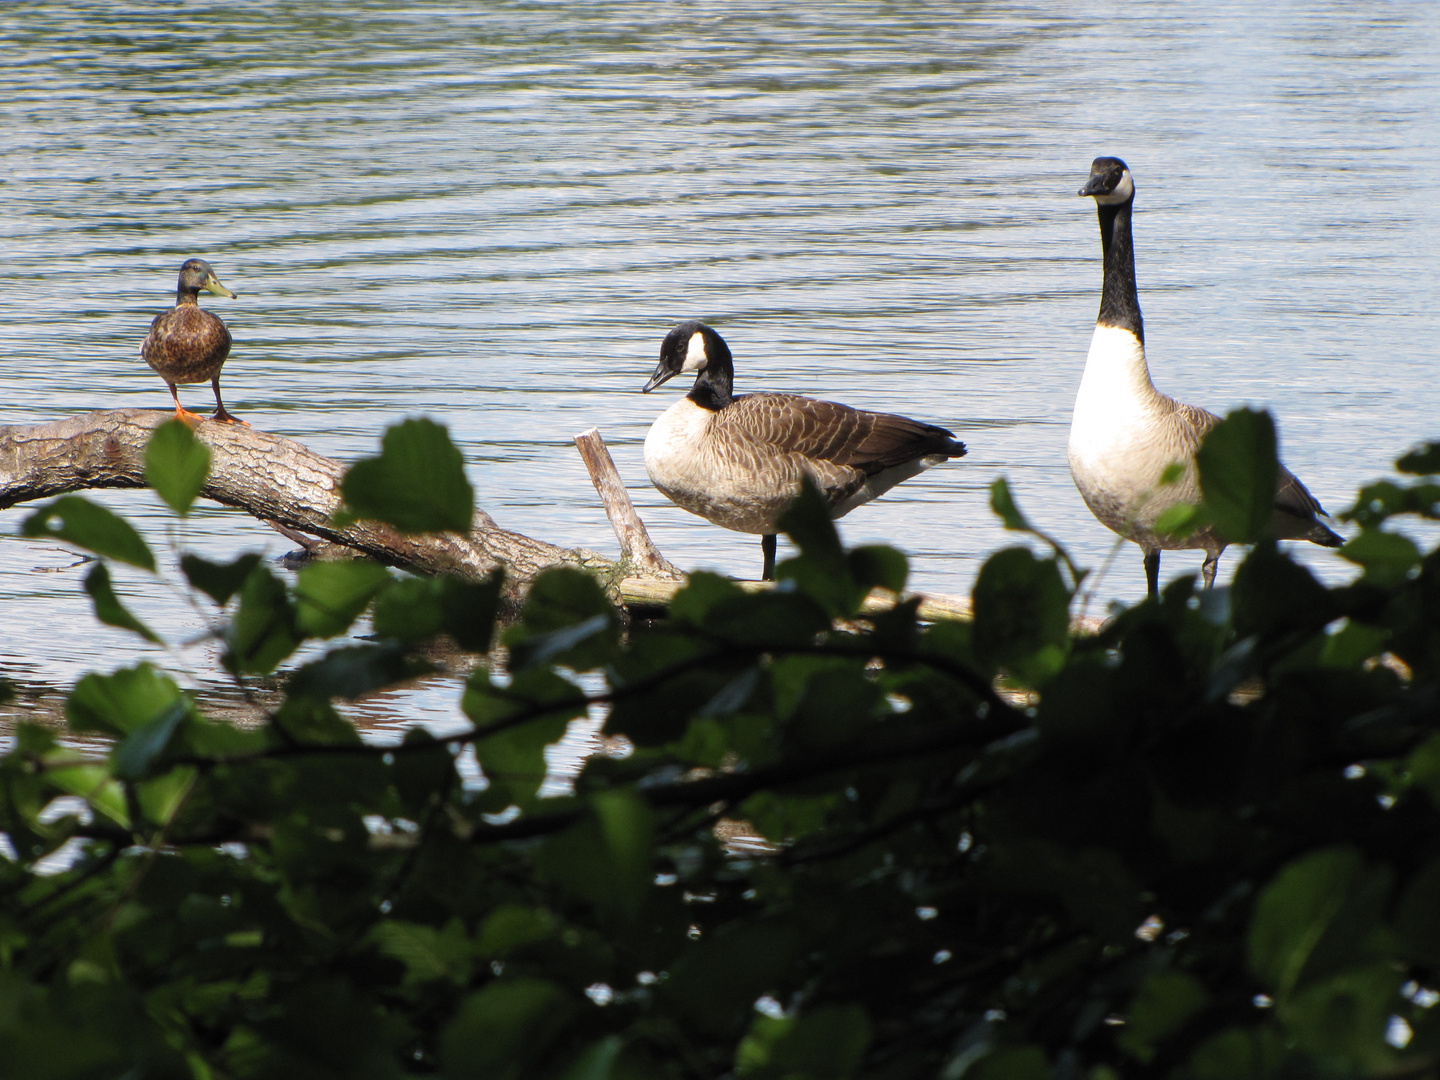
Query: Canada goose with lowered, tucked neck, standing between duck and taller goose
[(738, 462)]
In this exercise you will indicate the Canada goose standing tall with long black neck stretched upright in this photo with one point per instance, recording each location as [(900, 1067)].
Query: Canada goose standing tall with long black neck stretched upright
[(1125, 433)]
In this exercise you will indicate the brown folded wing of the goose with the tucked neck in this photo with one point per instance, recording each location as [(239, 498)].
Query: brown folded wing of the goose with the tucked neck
[(836, 434)]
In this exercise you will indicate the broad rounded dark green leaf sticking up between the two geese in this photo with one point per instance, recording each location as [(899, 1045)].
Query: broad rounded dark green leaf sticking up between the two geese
[(1022, 614)]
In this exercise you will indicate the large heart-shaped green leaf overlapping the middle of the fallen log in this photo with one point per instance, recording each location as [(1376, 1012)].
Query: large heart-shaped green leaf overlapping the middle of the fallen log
[(417, 485)]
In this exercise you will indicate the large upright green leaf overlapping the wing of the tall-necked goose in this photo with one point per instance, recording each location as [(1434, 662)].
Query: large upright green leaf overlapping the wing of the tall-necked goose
[(1239, 476)]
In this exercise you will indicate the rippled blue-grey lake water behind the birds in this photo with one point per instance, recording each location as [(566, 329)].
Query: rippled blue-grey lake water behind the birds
[(492, 214)]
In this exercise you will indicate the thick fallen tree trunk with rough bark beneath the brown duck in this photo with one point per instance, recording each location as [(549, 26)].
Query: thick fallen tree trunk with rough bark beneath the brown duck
[(274, 479)]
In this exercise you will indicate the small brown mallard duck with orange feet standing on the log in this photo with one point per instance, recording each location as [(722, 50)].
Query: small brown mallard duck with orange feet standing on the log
[(188, 345)]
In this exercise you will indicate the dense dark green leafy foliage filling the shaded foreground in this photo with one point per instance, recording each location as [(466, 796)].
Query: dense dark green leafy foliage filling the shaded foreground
[(1203, 843)]
